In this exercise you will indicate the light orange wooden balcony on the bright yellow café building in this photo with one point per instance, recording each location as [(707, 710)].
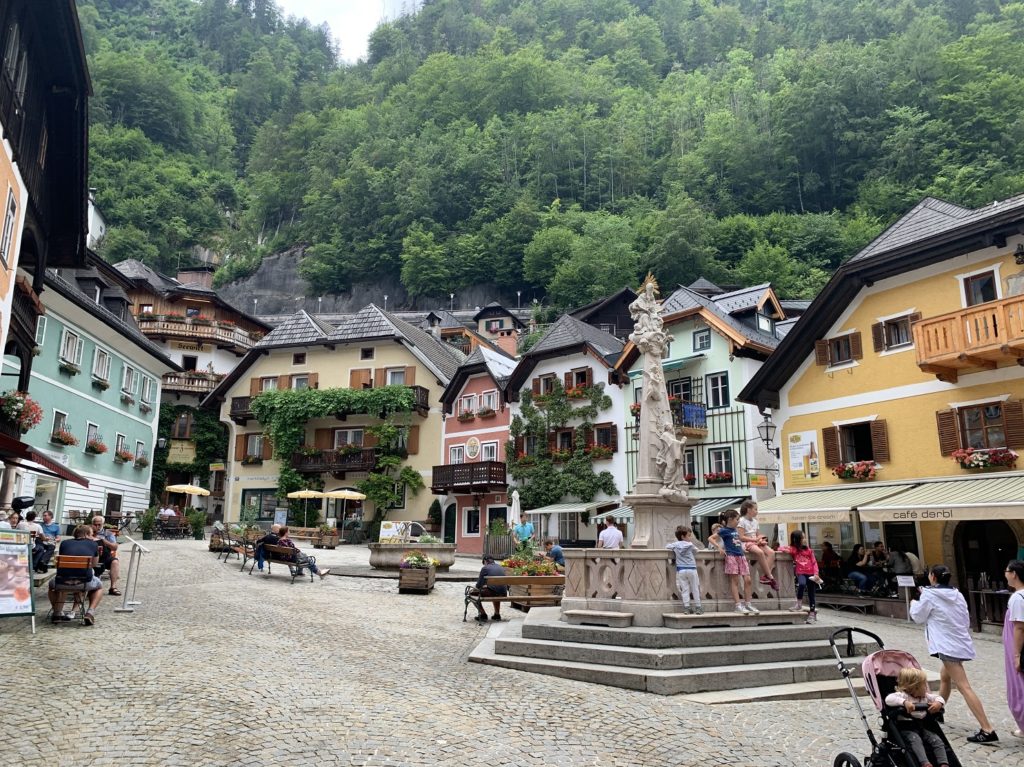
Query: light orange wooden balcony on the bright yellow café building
[(977, 338)]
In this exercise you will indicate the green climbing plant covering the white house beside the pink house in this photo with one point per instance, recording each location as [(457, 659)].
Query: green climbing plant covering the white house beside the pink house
[(539, 479)]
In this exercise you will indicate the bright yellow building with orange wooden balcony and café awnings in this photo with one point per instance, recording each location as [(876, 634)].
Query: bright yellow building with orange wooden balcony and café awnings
[(899, 396)]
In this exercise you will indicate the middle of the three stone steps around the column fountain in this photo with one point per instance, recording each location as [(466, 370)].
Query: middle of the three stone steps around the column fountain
[(513, 644)]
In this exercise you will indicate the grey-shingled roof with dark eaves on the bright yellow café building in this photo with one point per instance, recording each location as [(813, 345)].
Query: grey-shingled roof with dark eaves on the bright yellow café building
[(932, 232)]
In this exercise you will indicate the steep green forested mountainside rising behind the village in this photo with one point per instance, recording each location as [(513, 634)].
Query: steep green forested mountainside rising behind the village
[(565, 145)]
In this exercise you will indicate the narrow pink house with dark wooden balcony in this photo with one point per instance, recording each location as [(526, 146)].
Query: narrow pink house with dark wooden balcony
[(472, 476)]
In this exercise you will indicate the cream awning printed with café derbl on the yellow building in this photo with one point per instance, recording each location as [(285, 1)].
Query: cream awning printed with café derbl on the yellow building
[(1000, 497)]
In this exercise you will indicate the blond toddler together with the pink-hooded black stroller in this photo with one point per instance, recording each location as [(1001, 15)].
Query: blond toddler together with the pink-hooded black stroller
[(885, 681)]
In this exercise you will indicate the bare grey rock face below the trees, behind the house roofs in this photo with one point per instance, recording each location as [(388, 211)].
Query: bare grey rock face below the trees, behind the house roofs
[(278, 290)]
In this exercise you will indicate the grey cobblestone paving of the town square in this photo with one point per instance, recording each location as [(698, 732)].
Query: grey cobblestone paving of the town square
[(221, 668)]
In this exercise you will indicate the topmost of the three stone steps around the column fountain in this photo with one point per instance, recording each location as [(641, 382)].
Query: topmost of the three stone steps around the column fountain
[(544, 624)]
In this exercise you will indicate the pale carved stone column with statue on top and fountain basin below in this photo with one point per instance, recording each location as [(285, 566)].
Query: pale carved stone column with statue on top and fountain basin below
[(639, 583)]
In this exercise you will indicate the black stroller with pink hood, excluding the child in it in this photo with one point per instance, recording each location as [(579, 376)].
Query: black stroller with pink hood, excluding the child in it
[(880, 670)]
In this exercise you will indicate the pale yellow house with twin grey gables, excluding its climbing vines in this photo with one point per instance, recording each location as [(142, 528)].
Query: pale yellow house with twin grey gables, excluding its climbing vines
[(370, 351)]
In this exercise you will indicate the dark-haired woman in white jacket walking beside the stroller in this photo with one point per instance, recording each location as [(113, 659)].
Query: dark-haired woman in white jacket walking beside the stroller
[(948, 628)]
